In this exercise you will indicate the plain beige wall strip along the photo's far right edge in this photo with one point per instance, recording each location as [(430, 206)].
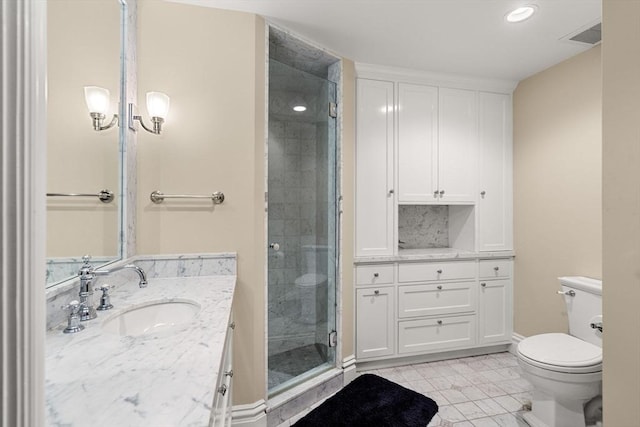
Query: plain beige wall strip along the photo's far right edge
[(621, 213)]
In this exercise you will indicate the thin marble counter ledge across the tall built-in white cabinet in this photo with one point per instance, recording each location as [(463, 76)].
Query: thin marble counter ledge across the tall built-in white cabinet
[(433, 254)]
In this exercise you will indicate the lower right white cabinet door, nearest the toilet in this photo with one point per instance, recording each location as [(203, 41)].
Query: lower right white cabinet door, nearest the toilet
[(496, 312)]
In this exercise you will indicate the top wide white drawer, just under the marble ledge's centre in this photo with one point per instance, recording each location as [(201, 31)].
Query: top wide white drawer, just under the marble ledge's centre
[(432, 271)]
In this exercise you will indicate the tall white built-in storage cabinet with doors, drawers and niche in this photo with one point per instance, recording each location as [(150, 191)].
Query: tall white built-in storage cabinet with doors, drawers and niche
[(434, 258)]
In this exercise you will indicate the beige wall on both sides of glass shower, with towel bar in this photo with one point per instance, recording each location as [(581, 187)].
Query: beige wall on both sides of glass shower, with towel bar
[(211, 63)]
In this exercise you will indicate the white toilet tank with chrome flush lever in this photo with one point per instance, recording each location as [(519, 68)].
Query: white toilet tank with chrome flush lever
[(584, 308)]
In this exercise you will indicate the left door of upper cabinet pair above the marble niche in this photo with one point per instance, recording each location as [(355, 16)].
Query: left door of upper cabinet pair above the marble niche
[(417, 143)]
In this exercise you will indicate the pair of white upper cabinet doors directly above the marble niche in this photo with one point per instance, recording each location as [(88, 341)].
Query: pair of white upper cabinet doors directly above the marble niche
[(437, 144)]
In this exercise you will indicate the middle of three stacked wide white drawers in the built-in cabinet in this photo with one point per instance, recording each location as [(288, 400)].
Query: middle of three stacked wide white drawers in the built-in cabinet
[(442, 298)]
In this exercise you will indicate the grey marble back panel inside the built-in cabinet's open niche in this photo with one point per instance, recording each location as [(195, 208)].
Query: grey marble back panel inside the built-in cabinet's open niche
[(421, 227)]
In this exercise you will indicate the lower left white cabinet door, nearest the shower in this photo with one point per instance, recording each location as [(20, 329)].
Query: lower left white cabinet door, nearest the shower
[(375, 322)]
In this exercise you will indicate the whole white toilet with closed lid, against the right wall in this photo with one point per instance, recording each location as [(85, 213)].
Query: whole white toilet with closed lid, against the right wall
[(566, 370)]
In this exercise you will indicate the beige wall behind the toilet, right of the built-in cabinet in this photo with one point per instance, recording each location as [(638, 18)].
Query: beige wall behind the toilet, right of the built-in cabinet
[(557, 187)]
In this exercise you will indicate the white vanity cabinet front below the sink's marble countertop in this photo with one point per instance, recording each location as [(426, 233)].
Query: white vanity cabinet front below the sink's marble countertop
[(222, 401)]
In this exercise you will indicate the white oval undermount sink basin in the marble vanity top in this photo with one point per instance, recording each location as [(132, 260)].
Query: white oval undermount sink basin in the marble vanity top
[(154, 318)]
